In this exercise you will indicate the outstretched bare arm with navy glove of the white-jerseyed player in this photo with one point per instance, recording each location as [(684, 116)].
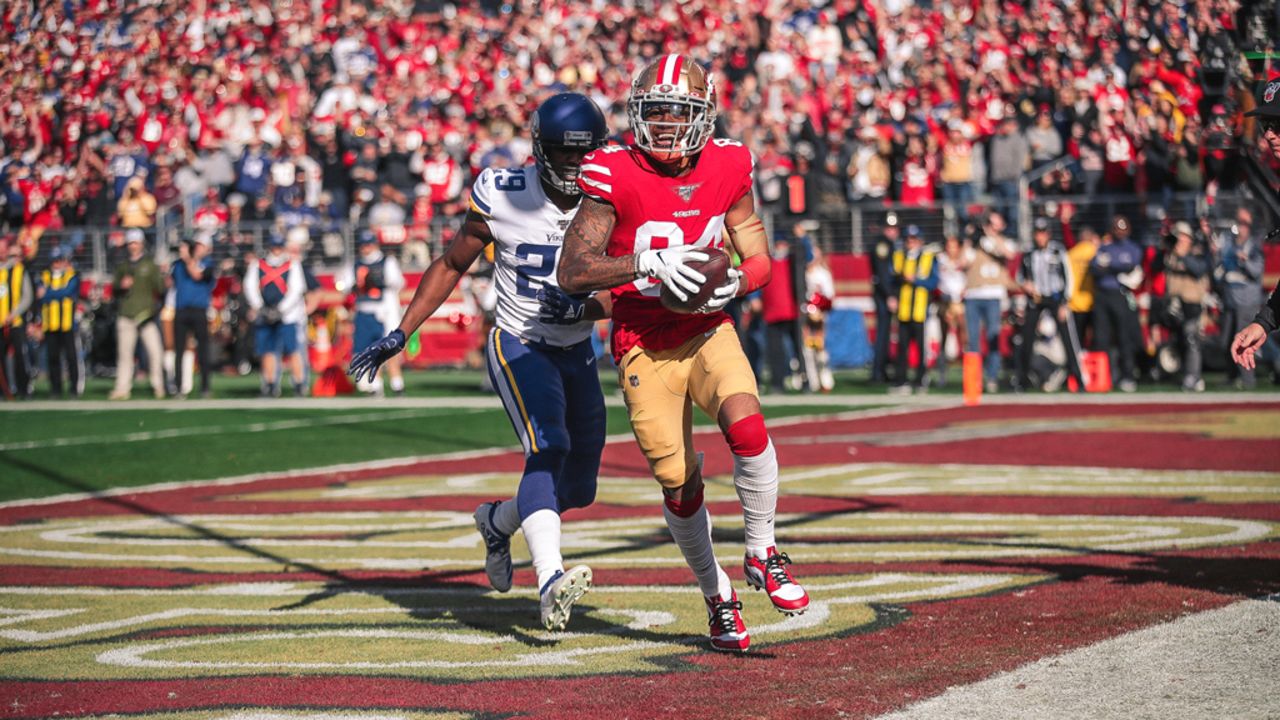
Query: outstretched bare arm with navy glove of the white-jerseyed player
[(437, 284)]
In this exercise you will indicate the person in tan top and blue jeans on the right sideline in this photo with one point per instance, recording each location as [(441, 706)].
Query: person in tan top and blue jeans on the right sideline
[(988, 285)]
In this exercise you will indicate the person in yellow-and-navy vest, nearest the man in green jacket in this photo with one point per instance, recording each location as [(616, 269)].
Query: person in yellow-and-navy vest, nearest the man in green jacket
[(60, 297)]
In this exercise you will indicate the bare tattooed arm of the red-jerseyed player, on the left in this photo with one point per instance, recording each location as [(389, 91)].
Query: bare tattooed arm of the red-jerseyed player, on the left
[(584, 266)]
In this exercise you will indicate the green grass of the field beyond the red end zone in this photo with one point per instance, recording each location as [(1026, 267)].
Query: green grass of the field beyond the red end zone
[(47, 453)]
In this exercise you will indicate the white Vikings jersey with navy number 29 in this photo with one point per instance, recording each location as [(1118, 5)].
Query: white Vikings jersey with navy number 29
[(529, 234)]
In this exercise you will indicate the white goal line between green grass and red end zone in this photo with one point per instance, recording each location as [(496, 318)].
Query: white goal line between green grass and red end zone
[(392, 463)]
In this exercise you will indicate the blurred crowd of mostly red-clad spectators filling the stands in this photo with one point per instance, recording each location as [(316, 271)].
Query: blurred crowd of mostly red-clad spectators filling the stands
[(305, 119)]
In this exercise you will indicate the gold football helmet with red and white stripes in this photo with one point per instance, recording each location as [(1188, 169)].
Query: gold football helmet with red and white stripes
[(673, 108)]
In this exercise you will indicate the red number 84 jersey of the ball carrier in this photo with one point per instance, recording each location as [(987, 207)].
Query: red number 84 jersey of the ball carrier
[(656, 212)]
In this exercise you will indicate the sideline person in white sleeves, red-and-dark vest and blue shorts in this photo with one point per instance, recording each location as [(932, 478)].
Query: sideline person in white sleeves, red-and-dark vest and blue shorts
[(276, 290)]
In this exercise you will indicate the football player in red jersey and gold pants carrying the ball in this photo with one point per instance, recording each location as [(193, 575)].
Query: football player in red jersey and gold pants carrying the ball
[(647, 209)]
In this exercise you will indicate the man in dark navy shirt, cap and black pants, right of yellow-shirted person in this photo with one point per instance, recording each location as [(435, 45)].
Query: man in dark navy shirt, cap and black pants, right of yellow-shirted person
[(1116, 312)]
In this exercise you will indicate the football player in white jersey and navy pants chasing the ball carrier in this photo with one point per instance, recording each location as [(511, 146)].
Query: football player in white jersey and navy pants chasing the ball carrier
[(540, 353)]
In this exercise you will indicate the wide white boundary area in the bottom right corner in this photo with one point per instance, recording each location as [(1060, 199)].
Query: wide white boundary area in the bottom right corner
[(1217, 664)]
